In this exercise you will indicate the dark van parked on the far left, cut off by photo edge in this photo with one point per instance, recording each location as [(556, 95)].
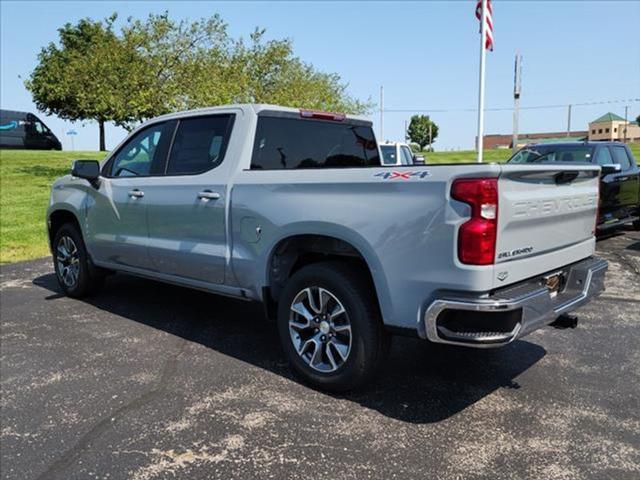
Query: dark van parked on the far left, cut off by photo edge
[(23, 130)]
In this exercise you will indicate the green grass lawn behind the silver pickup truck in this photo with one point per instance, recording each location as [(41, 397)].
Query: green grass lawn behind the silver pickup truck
[(26, 177)]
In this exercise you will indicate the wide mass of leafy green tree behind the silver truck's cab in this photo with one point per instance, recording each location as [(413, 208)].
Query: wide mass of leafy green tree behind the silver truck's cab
[(159, 65)]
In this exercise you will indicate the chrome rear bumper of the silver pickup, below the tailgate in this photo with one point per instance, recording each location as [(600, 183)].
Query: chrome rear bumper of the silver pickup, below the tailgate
[(510, 313)]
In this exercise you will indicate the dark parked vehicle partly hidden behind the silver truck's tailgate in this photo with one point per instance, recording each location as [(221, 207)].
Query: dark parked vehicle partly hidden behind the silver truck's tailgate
[(620, 177)]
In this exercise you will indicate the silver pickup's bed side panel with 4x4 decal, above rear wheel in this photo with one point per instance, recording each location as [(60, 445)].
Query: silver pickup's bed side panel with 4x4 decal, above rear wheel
[(405, 228)]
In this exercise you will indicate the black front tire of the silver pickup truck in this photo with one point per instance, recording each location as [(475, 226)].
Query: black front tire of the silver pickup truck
[(88, 279)]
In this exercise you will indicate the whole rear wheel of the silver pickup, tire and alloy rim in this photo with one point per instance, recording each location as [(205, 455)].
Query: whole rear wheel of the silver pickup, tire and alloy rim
[(330, 326)]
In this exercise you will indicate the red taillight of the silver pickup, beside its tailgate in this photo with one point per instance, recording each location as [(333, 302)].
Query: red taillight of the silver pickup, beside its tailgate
[(477, 236)]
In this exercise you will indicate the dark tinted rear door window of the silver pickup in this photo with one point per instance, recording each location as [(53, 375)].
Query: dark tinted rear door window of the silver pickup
[(199, 145)]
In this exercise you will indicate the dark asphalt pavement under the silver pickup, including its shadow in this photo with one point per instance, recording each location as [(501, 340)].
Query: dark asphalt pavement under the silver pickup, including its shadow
[(148, 381)]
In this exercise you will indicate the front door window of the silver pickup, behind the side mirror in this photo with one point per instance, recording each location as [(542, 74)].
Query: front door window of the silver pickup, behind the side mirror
[(135, 158)]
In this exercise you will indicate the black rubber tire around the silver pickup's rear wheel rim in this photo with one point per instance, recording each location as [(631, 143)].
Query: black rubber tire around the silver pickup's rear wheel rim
[(369, 342)]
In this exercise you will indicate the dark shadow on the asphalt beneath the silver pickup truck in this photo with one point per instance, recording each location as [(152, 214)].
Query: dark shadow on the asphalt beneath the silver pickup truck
[(420, 383)]
